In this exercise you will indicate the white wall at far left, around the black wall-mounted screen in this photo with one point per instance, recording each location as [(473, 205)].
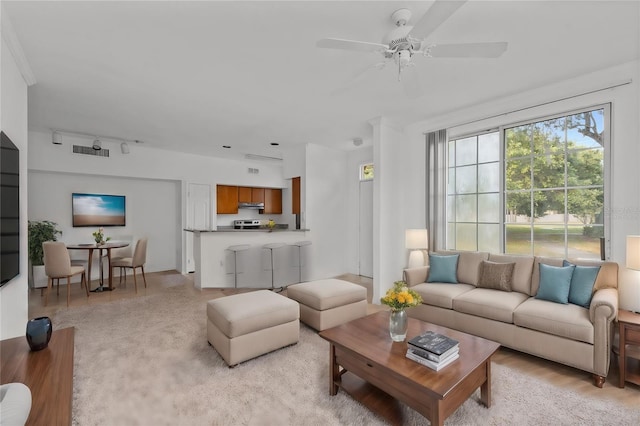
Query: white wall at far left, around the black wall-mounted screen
[(13, 121)]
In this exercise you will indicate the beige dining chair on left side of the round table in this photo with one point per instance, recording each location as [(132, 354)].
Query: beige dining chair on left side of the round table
[(57, 264)]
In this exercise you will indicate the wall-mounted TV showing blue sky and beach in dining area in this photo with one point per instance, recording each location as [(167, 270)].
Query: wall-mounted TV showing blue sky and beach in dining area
[(98, 210)]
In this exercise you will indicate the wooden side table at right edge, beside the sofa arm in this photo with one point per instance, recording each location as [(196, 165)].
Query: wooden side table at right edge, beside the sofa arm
[(629, 345)]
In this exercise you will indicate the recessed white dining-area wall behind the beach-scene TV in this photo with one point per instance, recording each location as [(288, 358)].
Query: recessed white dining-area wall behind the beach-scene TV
[(153, 211)]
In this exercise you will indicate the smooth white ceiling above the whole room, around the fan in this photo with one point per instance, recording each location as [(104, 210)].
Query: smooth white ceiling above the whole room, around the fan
[(193, 76)]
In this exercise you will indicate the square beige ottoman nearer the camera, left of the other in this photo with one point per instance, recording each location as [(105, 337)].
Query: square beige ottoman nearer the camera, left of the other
[(247, 325)]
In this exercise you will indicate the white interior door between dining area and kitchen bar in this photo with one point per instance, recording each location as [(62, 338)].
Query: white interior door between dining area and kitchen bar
[(198, 216)]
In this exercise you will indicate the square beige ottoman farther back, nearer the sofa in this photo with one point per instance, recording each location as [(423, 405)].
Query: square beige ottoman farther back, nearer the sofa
[(327, 303)]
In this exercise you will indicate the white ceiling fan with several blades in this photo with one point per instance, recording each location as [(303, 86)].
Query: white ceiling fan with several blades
[(403, 42)]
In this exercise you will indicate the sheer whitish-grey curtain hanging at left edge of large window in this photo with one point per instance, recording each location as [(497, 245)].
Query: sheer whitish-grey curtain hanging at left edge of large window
[(436, 175)]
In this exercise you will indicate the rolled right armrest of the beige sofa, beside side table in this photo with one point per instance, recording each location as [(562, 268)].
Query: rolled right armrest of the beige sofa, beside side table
[(602, 313)]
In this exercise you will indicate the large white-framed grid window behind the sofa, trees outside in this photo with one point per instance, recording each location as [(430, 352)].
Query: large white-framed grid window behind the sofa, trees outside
[(531, 188)]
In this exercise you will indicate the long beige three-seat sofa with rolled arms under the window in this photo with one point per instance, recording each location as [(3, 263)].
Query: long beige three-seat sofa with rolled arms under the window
[(565, 333)]
